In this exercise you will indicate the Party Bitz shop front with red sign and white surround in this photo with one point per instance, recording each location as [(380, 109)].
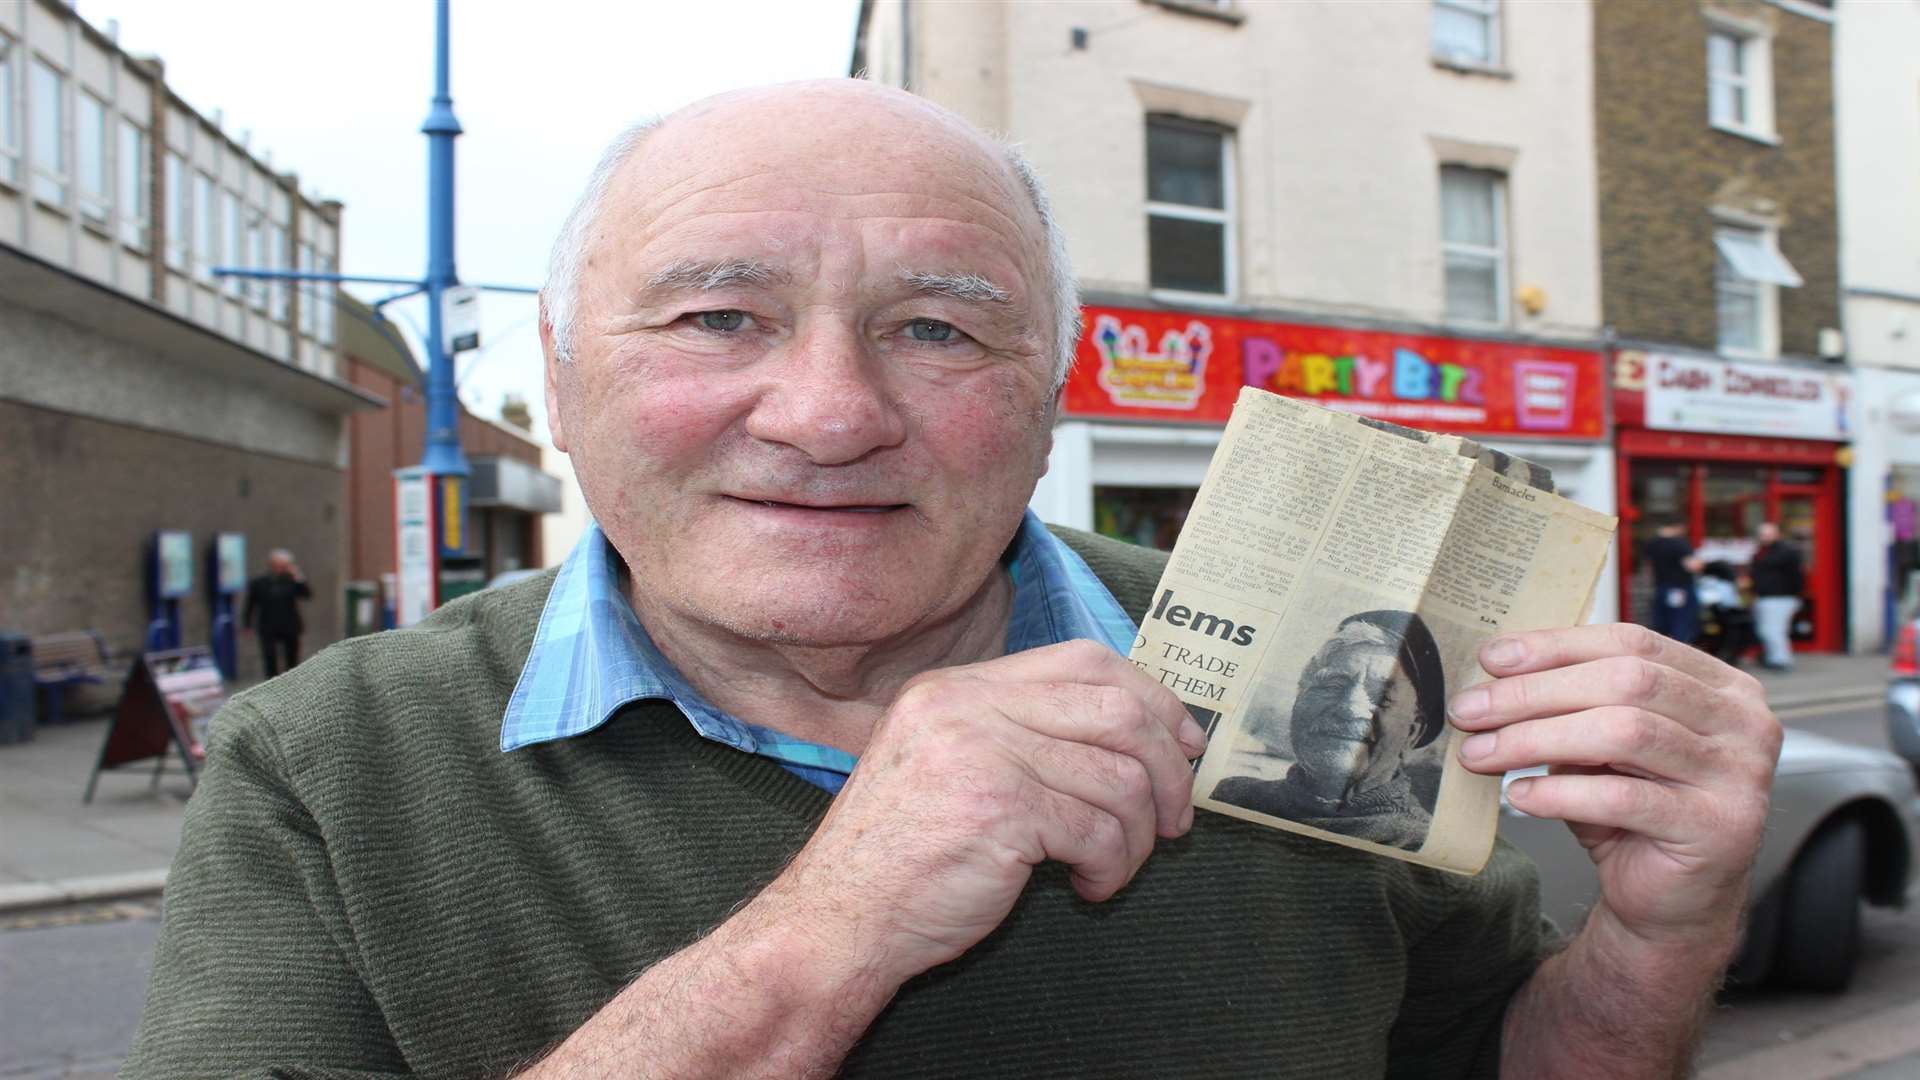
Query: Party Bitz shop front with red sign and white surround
[(1151, 393)]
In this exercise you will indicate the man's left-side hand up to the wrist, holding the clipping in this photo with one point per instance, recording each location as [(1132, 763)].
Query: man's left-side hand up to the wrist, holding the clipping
[(972, 779)]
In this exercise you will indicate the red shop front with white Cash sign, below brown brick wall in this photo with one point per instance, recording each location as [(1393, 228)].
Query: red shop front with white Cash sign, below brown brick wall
[(1725, 447)]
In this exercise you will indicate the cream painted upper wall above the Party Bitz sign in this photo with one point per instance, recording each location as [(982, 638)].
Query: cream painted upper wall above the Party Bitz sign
[(1337, 174)]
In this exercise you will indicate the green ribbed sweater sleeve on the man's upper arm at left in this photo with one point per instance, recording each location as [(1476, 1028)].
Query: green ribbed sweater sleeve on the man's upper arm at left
[(254, 973)]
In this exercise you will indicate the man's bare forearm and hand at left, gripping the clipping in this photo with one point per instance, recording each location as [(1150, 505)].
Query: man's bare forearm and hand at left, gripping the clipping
[(971, 779)]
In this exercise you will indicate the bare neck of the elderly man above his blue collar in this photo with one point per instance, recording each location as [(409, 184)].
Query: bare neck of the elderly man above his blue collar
[(834, 695)]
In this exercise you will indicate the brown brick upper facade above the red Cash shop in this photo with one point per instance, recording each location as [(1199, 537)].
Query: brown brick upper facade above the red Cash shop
[(1666, 170)]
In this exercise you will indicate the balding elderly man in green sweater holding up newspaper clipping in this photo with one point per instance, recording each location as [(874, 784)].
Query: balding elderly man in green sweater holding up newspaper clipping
[(805, 347)]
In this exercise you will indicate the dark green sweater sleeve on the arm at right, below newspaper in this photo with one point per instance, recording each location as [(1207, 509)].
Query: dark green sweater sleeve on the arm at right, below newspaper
[(1483, 939)]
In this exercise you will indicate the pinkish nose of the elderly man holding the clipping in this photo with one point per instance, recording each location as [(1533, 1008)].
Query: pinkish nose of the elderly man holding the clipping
[(828, 401)]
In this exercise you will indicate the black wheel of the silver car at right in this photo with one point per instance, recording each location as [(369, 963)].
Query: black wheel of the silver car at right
[(1821, 910)]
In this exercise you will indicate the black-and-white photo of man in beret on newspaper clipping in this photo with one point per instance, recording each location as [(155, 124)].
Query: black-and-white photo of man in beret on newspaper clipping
[(1372, 695)]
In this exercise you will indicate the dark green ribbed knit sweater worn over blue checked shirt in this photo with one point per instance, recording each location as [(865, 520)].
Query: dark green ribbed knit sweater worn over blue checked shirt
[(368, 887)]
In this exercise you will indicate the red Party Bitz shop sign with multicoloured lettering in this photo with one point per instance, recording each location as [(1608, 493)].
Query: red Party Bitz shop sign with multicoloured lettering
[(1189, 368)]
